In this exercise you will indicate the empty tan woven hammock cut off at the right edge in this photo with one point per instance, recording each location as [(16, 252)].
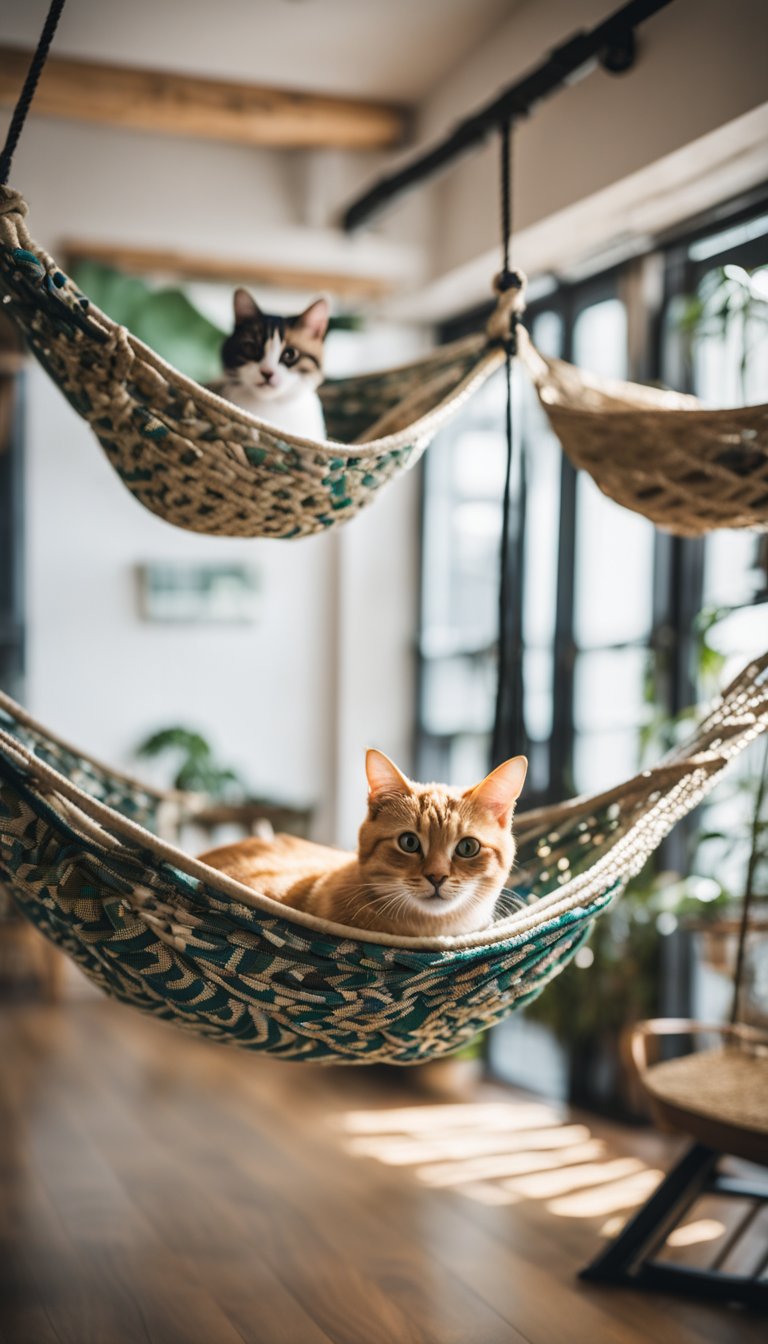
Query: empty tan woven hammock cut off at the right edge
[(660, 454)]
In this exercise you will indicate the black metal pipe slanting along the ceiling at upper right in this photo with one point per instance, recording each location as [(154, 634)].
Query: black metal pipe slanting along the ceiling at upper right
[(562, 67)]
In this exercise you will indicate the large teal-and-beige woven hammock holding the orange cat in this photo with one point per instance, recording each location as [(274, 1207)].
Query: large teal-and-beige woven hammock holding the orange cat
[(166, 933)]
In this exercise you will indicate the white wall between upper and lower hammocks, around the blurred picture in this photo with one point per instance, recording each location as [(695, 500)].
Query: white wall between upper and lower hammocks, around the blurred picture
[(291, 701)]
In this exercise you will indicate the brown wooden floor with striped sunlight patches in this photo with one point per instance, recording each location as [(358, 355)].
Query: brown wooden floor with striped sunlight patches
[(157, 1190)]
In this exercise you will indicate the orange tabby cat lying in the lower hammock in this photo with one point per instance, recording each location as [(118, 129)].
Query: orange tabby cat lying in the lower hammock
[(431, 859)]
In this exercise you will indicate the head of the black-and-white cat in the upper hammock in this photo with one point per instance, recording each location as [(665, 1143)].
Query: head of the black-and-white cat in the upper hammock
[(275, 357)]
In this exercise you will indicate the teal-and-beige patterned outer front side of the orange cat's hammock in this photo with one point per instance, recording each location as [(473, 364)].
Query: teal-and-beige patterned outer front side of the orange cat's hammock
[(153, 936)]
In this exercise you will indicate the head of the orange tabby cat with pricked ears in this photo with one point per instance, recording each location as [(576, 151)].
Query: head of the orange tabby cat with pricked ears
[(435, 859)]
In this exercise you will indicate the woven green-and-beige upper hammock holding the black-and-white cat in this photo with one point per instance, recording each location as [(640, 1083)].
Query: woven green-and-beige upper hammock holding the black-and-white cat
[(197, 460)]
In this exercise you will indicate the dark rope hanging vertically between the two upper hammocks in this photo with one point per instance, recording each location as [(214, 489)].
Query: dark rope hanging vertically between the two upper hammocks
[(509, 713)]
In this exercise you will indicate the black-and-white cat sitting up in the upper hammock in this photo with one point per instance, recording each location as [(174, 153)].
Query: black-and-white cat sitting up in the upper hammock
[(274, 366)]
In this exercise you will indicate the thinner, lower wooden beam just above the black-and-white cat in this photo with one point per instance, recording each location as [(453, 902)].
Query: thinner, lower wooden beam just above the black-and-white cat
[(180, 265)]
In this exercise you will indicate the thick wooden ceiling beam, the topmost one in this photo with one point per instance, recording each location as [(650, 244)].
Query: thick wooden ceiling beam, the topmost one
[(208, 110)]
